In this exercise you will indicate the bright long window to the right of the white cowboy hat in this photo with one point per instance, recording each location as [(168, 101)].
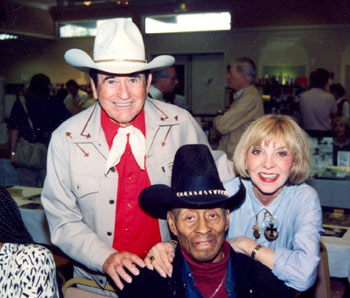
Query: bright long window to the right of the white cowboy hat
[(188, 22)]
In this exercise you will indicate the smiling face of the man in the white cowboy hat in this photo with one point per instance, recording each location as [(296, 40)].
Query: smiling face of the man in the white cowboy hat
[(122, 97)]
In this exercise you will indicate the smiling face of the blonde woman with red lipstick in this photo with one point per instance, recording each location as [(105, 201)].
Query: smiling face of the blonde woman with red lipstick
[(269, 167)]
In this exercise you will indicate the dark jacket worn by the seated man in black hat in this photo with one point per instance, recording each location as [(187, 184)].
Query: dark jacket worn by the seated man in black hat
[(252, 280)]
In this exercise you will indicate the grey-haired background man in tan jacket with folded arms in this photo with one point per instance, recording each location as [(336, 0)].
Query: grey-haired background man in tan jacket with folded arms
[(246, 107)]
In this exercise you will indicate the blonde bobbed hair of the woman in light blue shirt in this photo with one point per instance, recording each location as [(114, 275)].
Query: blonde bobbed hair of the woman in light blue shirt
[(272, 128)]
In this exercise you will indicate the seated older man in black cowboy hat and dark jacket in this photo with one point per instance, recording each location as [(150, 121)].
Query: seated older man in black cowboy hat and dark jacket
[(197, 209)]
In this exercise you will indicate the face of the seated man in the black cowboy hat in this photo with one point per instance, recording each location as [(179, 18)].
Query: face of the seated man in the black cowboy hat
[(201, 232)]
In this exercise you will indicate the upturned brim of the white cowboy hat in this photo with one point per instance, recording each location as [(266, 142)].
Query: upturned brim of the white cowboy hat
[(83, 62)]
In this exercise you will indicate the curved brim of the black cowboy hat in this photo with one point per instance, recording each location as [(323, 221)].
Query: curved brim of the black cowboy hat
[(158, 199)]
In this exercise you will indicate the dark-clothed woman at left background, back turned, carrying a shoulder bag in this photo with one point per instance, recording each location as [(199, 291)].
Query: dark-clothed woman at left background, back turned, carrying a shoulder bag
[(34, 116)]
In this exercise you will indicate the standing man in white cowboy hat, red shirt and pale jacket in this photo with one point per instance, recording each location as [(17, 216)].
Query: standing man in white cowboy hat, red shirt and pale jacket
[(102, 158)]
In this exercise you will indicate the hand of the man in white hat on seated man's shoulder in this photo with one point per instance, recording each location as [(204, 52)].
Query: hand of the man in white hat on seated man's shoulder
[(116, 263)]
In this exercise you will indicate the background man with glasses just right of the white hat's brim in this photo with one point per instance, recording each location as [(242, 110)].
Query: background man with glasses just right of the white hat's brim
[(163, 86)]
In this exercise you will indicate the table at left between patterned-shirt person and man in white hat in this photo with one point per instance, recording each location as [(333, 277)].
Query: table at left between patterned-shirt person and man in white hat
[(28, 201)]
